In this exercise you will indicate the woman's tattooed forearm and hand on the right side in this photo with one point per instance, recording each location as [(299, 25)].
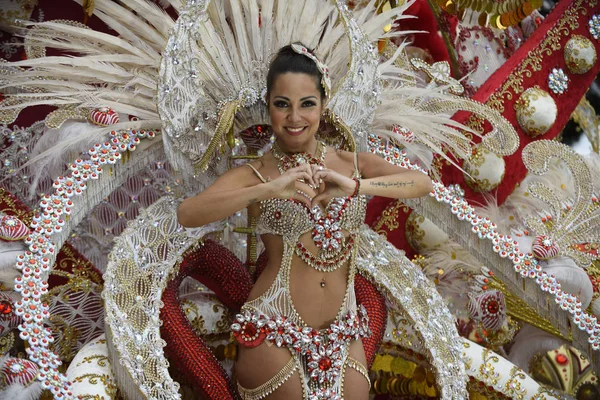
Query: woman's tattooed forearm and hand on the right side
[(380, 178)]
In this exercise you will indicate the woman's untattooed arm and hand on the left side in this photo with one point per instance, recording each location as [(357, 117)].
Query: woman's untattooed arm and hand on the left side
[(235, 190)]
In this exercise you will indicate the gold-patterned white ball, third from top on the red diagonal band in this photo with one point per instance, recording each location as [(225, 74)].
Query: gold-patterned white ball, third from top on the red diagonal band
[(484, 170)]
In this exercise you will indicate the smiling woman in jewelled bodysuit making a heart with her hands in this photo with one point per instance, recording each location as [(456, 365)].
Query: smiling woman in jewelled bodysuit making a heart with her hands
[(310, 201)]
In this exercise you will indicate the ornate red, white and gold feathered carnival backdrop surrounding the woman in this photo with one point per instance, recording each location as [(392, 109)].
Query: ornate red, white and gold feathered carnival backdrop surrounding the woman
[(112, 112)]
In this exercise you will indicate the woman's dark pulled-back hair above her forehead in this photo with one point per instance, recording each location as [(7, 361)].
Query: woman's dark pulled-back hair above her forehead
[(287, 60)]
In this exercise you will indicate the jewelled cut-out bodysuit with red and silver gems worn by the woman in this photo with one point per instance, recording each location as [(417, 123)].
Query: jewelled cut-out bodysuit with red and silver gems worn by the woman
[(319, 355)]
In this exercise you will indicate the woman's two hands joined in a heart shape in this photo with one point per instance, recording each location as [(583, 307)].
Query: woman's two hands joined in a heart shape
[(326, 182)]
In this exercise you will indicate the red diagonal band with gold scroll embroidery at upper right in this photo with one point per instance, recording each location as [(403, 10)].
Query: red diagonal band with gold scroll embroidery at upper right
[(529, 68)]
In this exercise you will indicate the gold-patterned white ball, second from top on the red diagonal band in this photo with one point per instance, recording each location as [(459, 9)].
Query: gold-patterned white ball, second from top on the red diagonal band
[(536, 111)]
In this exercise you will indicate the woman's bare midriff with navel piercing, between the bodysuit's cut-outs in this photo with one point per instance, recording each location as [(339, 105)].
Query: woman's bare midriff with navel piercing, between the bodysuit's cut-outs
[(317, 296)]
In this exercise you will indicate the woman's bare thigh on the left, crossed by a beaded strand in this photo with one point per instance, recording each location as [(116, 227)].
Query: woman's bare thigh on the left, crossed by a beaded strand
[(255, 366)]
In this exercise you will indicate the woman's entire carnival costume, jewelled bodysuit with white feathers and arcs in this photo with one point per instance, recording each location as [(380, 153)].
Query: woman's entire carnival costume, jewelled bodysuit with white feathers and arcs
[(199, 84)]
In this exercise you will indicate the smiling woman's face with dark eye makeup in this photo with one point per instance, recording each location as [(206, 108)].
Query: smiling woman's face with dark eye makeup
[(295, 108)]
